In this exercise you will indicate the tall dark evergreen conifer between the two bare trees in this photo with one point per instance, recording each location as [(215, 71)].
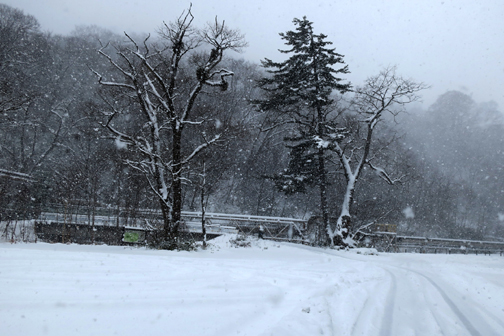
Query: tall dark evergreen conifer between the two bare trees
[(299, 91)]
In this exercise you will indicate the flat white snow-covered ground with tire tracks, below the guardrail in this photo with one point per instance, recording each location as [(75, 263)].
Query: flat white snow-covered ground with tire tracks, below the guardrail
[(266, 289)]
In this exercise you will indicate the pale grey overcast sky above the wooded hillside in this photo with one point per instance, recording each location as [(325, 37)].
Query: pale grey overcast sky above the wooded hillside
[(448, 44)]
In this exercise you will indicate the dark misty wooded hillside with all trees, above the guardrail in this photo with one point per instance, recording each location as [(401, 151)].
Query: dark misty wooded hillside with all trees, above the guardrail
[(96, 121)]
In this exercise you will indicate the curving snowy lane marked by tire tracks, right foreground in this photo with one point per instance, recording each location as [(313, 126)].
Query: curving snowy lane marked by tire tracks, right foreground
[(438, 302)]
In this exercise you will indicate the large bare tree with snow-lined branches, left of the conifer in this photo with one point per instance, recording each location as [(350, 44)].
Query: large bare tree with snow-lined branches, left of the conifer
[(156, 81)]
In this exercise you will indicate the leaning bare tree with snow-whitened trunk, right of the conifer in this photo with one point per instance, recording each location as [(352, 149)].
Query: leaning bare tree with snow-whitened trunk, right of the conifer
[(381, 94)]
